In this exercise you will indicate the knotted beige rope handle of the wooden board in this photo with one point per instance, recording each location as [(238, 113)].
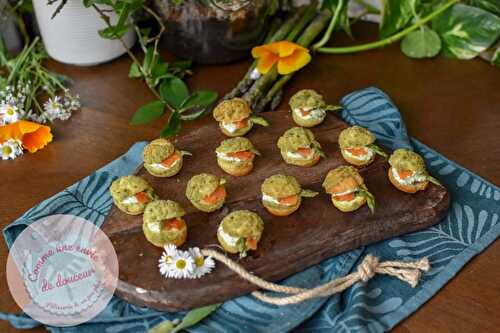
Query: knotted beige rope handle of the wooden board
[(409, 272)]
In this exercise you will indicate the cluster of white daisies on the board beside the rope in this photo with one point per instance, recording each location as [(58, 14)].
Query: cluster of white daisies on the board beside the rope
[(178, 264)]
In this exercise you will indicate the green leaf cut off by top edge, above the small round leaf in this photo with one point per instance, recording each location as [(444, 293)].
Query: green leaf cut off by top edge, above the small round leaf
[(396, 15)]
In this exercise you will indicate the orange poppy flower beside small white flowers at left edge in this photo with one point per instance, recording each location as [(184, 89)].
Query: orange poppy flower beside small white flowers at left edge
[(32, 135)]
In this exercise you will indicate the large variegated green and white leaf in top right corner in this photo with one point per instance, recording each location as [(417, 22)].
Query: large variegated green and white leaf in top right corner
[(466, 31)]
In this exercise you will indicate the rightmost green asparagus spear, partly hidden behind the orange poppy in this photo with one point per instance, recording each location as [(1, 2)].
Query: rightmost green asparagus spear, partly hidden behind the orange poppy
[(311, 32)]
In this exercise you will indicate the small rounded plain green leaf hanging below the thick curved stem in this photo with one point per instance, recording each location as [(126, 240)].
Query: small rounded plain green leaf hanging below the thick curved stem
[(422, 43)]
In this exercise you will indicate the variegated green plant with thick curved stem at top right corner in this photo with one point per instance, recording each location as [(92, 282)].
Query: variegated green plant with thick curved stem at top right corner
[(460, 30)]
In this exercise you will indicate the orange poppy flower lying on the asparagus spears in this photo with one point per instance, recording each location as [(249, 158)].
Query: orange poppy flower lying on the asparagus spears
[(289, 56)]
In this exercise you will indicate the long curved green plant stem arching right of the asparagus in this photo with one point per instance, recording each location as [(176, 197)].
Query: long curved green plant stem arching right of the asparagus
[(388, 40)]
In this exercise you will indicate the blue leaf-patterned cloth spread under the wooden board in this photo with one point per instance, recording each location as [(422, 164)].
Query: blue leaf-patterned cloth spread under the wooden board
[(376, 306)]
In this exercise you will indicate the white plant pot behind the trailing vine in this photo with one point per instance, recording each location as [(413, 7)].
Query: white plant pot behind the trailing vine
[(72, 36)]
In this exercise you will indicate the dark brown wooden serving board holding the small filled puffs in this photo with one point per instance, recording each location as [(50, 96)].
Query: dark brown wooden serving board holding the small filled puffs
[(289, 244)]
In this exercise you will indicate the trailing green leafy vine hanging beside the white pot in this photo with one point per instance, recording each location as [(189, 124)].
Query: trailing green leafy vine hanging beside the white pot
[(173, 92)]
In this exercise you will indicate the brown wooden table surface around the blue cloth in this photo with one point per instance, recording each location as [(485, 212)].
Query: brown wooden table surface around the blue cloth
[(450, 105)]
